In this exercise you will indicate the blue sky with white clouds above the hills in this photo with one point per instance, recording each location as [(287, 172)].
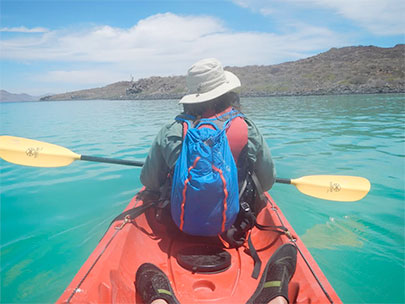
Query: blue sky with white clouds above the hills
[(56, 46)]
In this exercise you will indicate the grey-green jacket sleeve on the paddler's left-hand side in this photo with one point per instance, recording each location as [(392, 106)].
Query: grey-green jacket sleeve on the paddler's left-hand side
[(162, 156)]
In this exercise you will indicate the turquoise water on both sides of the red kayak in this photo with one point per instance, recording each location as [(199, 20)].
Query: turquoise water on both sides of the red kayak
[(52, 218)]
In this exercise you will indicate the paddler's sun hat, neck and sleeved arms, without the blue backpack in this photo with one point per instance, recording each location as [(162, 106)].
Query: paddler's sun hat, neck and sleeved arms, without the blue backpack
[(211, 96)]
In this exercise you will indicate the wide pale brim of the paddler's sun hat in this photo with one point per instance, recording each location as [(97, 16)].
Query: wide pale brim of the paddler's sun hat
[(232, 82)]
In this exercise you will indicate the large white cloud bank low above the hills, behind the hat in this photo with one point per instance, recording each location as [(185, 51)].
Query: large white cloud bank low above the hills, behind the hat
[(163, 44)]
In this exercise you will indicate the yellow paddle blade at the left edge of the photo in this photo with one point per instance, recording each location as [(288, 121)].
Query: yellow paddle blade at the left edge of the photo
[(29, 152)]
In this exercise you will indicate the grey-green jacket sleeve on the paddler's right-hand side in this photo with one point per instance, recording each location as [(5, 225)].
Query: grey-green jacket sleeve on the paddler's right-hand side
[(260, 157)]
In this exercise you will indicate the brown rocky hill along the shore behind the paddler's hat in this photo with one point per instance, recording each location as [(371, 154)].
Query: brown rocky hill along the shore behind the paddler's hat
[(348, 70)]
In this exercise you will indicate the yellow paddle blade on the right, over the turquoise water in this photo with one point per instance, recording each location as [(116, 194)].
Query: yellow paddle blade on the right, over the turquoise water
[(333, 187)]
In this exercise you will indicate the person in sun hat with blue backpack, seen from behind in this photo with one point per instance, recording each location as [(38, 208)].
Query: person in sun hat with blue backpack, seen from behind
[(210, 104)]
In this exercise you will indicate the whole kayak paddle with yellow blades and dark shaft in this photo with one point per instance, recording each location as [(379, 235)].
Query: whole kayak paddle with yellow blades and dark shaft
[(28, 152)]
